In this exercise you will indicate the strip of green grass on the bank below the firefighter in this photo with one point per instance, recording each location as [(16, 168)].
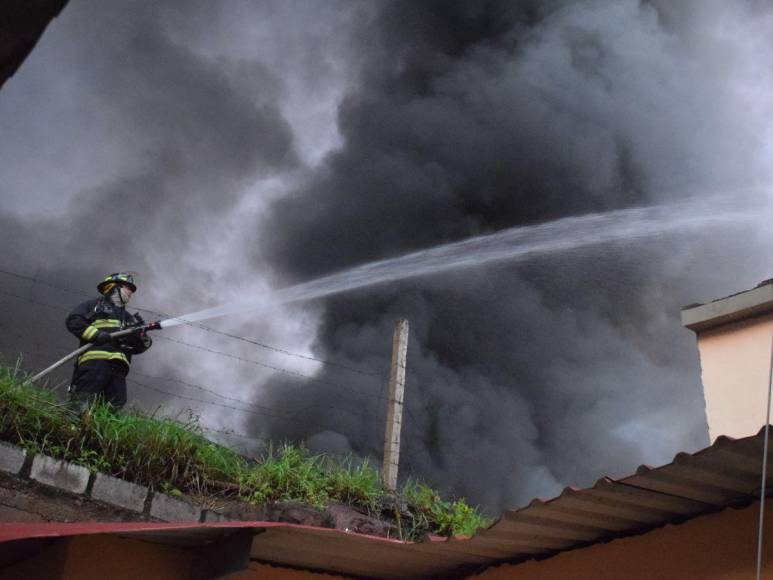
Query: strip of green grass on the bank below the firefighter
[(175, 457)]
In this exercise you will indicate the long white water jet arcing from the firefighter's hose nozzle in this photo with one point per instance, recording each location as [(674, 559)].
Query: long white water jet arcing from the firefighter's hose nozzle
[(511, 245)]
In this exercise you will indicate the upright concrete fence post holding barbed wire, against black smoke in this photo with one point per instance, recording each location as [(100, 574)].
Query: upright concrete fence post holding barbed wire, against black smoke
[(395, 405)]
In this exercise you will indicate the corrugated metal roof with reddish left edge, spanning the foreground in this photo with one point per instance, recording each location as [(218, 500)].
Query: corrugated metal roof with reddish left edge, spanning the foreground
[(725, 474)]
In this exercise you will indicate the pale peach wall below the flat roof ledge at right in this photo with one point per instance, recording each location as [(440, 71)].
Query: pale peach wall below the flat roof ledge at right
[(735, 370)]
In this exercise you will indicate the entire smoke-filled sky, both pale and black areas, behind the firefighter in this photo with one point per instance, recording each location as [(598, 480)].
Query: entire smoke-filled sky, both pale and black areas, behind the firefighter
[(225, 151)]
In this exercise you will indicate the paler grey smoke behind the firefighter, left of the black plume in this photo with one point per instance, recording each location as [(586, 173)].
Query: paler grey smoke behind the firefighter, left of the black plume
[(150, 137)]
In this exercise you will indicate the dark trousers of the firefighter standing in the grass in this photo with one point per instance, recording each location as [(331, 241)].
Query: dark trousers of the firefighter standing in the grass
[(99, 378)]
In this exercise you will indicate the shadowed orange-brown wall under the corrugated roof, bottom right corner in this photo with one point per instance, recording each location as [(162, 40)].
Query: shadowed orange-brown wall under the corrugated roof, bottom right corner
[(719, 546)]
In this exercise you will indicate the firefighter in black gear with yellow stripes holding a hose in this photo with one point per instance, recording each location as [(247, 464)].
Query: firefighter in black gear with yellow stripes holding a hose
[(101, 371)]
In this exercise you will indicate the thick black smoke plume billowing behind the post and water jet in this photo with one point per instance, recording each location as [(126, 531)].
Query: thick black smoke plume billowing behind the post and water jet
[(470, 117)]
